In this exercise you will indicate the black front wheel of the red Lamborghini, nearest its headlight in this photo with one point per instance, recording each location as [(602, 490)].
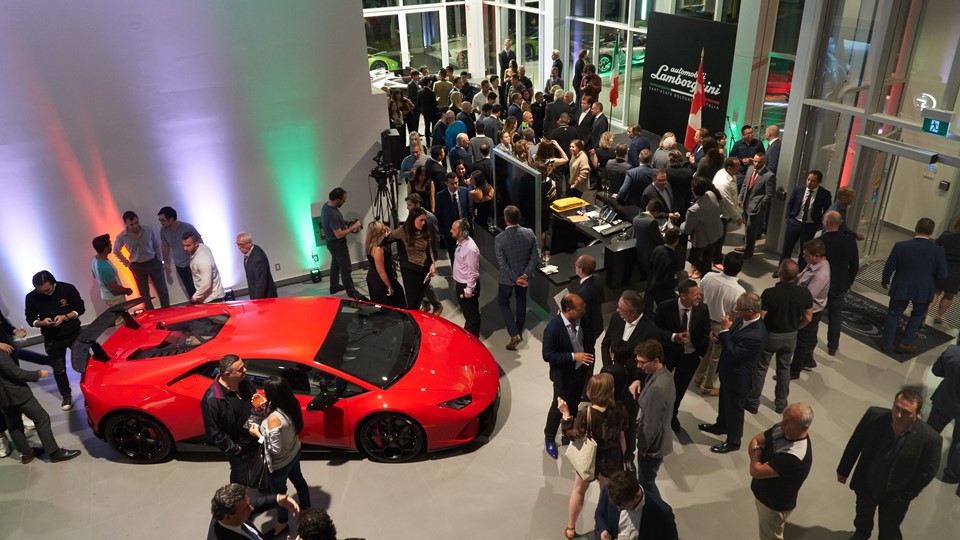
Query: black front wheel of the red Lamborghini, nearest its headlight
[(391, 438)]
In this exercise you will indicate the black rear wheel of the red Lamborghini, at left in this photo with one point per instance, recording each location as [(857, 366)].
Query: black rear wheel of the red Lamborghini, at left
[(141, 438)]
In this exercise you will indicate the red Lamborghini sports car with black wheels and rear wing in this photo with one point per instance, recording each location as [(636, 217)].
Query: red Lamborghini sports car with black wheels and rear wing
[(386, 382)]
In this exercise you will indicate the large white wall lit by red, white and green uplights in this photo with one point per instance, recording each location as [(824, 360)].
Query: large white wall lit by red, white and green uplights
[(238, 113)]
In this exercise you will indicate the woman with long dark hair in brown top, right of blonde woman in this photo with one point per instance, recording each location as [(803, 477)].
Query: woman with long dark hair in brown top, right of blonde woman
[(417, 255)]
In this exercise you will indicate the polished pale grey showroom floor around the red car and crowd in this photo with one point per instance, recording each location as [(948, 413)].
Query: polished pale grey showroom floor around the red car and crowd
[(506, 487)]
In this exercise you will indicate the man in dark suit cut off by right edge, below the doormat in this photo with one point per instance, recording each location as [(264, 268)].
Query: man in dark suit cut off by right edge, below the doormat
[(946, 408)]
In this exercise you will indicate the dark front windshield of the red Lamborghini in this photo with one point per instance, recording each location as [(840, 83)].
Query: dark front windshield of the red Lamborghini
[(374, 344)]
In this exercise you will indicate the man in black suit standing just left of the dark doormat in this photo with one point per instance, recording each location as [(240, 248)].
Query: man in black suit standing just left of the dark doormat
[(844, 259)]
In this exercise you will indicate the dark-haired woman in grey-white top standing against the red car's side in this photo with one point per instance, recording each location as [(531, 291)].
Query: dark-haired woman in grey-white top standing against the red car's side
[(280, 432)]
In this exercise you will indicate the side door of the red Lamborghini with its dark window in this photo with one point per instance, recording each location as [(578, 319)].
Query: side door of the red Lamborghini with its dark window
[(324, 427)]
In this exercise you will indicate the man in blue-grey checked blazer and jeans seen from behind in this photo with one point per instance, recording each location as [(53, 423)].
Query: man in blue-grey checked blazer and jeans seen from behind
[(516, 249)]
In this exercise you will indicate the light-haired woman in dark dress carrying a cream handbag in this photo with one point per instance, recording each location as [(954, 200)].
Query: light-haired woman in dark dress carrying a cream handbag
[(605, 421)]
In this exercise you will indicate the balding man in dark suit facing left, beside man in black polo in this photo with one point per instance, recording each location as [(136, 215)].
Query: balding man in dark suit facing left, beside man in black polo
[(741, 342)]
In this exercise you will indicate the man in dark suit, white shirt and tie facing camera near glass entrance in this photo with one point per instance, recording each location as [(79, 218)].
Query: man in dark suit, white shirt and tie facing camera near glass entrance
[(805, 211)]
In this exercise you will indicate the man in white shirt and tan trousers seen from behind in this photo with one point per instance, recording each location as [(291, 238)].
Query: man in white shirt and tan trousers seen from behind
[(720, 291)]
